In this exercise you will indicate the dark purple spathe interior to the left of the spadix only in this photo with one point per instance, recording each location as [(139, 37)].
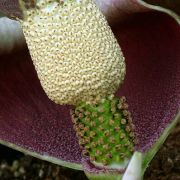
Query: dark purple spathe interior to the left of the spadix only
[(27, 117)]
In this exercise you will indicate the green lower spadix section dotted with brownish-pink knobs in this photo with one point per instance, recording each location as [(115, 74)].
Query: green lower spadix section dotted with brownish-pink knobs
[(105, 131)]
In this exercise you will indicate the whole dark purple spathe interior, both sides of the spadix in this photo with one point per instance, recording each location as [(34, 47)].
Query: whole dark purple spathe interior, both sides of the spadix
[(151, 45)]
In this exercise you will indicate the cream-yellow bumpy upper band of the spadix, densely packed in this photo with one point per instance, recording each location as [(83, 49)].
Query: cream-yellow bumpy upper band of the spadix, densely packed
[(74, 51)]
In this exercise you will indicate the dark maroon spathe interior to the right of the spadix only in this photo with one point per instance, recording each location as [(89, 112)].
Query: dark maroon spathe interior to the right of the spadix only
[(151, 45)]
